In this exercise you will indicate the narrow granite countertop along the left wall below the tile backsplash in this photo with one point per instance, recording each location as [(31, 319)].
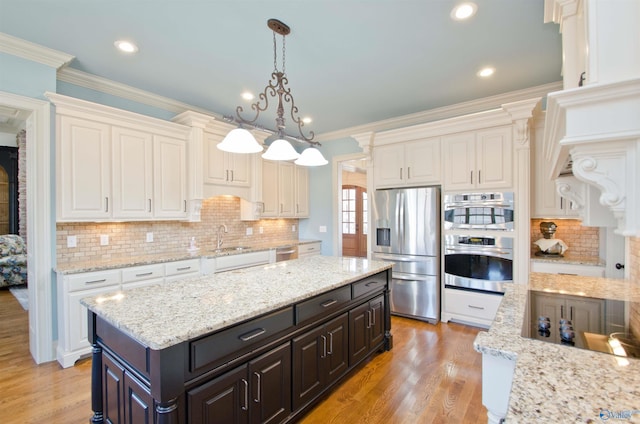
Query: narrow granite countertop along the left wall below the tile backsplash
[(77, 267)]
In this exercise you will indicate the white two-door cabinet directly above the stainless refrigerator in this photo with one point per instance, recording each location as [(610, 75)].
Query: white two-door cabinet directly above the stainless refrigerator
[(412, 163)]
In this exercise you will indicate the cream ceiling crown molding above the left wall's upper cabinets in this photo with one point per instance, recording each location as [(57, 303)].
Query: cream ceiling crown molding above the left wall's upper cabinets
[(103, 85)]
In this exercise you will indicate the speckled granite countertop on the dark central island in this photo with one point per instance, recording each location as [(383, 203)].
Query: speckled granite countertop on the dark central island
[(160, 316)]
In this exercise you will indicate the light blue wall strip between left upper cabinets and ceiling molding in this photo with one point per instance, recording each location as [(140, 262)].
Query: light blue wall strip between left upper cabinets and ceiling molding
[(87, 94)]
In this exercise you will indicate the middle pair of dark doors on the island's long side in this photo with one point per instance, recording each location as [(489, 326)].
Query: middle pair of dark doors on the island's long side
[(320, 356)]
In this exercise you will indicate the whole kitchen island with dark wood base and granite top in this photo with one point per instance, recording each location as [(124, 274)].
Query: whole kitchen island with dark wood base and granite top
[(172, 344)]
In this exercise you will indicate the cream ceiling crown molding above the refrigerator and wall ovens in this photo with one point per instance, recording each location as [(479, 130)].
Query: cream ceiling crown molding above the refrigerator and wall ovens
[(446, 112)]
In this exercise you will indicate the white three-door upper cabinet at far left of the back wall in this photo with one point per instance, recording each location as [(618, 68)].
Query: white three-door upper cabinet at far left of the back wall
[(115, 165)]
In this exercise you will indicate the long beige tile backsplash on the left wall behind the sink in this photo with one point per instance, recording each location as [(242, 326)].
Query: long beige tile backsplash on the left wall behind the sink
[(129, 238)]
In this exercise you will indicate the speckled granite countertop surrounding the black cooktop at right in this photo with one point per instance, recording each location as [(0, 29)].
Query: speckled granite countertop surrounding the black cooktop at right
[(556, 382)]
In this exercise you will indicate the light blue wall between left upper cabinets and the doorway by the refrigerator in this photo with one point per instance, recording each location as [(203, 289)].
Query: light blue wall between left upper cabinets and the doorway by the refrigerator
[(320, 195)]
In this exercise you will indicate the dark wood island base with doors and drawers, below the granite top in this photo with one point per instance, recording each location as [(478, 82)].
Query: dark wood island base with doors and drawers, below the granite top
[(269, 369)]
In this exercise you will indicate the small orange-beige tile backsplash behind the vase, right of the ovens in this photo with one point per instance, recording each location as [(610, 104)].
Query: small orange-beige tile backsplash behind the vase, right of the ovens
[(581, 240)]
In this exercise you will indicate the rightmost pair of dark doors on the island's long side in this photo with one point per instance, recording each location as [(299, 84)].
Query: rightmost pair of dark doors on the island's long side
[(366, 329)]
